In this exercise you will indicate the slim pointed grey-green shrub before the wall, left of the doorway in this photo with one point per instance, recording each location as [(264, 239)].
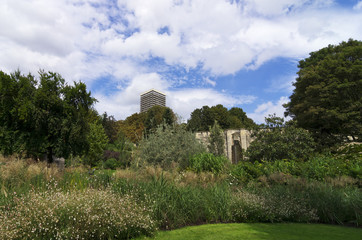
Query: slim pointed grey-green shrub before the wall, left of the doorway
[(216, 140)]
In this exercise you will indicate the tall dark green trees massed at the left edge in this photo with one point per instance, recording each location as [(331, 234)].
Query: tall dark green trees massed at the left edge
[(48, 116)]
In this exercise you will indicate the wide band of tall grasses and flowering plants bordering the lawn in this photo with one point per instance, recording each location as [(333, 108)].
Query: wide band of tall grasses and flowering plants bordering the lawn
[(42, 202)]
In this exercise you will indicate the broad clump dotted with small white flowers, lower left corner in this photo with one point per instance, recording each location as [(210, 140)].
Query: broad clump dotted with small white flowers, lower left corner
[(89, 214)]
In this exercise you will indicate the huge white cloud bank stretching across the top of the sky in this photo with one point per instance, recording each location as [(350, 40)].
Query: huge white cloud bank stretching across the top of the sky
[(225, 37)]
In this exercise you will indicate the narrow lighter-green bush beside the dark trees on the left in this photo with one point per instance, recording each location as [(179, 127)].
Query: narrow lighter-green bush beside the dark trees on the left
[(98, 140)]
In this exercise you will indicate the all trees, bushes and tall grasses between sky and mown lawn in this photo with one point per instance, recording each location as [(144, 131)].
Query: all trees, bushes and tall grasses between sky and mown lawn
[(127, 178)]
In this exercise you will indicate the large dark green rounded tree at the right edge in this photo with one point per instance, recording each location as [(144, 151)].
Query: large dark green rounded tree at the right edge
[(327, 98)]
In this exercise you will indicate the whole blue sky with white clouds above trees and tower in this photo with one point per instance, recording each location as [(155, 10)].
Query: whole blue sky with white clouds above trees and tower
[(238, 53)]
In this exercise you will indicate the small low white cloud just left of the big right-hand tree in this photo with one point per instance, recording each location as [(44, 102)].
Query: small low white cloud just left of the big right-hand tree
[(265, 109)]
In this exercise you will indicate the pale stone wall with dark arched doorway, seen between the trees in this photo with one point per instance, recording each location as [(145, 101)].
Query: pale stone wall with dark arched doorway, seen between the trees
[(236, 141)]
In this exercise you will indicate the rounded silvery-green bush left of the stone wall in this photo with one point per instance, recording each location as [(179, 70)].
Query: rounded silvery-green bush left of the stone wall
[(167, 145)]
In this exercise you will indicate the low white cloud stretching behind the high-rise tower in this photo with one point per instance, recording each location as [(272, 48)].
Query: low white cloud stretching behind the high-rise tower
[(126, 102)]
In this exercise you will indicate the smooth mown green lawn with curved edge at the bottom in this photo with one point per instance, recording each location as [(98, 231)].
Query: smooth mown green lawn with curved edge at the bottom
[(259, 231)]
